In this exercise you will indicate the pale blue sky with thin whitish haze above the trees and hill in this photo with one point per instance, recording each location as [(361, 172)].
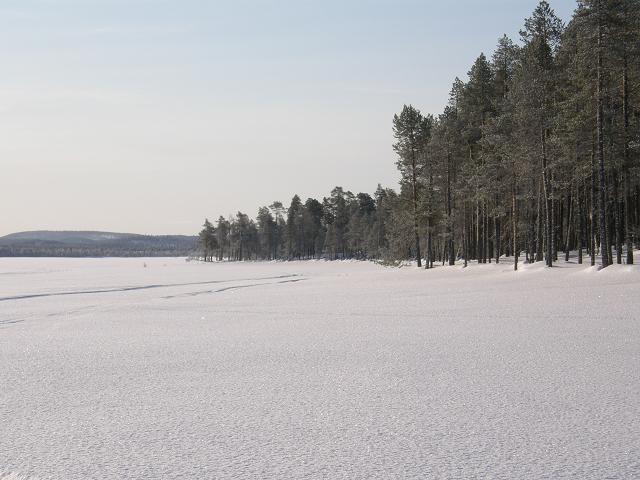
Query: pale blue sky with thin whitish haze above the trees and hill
[(148, 115)]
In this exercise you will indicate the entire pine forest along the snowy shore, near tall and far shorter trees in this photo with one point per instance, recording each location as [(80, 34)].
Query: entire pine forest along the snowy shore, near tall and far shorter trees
[(535, 154)]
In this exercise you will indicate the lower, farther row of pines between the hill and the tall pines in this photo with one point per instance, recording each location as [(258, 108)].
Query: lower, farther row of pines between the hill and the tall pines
[(342, 225)]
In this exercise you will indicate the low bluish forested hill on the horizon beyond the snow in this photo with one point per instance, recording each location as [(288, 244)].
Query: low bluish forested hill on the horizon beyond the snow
[(95, 244)]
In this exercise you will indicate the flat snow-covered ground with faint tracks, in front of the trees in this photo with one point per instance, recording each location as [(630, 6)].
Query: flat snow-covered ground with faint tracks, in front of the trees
[(113, 369)]
